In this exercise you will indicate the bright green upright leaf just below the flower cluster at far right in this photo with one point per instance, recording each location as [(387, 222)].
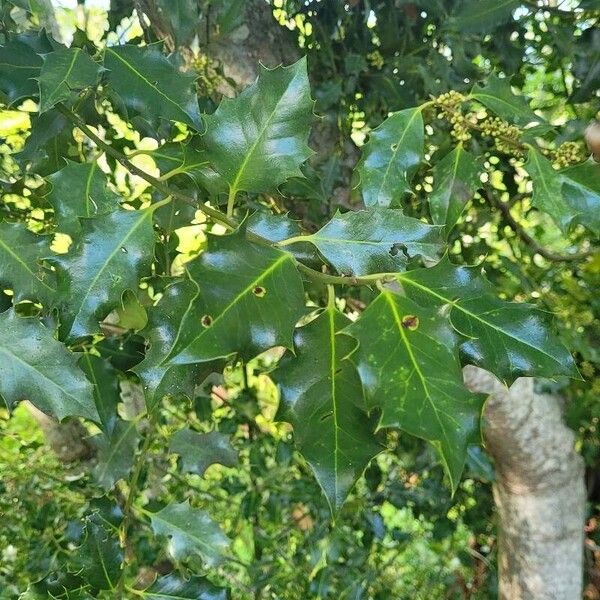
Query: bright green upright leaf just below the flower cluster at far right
[(547, 190)]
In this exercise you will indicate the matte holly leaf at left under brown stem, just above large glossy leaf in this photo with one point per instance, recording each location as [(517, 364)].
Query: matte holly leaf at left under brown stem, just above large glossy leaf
[(79, 190)]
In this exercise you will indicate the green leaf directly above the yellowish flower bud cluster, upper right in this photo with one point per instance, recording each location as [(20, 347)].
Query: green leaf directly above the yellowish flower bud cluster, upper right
[(497, 95)]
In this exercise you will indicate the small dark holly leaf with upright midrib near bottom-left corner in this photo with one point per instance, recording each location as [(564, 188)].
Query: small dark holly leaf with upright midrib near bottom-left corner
[(100, 555)]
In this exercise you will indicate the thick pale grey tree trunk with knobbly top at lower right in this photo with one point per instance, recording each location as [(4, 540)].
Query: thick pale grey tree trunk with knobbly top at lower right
[(539, 491)]
